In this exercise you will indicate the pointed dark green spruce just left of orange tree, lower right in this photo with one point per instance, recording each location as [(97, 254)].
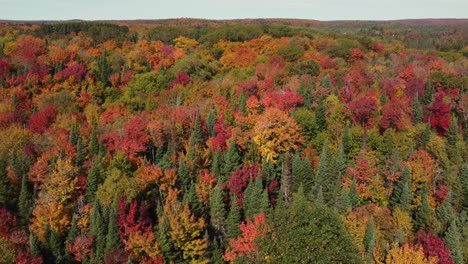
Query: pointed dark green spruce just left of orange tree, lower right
[(401, 196)]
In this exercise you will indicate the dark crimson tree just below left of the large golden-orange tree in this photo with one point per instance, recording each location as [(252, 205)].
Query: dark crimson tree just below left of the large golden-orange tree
[(239, 181)]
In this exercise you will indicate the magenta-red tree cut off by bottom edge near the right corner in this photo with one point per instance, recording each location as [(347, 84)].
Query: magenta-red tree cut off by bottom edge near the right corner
[(433, 246)]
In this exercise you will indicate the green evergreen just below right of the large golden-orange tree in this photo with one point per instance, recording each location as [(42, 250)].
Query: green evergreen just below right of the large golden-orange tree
[(301, 173)]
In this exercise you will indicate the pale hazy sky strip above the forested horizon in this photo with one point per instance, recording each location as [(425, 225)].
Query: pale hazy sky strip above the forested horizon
[(231, 9)]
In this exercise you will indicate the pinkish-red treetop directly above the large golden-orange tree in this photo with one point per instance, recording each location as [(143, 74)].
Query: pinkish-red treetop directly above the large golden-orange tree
[(285, 100)]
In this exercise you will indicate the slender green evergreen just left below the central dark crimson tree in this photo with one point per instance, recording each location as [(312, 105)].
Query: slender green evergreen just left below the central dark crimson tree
[(218, 211)]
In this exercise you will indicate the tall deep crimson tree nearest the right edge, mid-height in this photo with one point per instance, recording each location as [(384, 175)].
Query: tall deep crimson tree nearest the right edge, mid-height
[(439, 117)]
